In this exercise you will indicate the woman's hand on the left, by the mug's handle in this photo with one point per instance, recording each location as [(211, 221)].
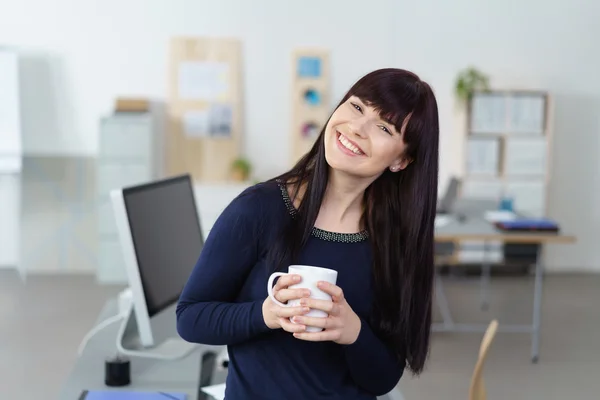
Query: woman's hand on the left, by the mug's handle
[(276, 316)]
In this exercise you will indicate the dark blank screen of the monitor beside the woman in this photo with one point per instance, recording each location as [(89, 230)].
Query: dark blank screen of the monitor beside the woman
[(167, 238)]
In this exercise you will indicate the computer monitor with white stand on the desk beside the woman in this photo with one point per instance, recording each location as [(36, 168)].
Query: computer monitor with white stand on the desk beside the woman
[(161, 239)]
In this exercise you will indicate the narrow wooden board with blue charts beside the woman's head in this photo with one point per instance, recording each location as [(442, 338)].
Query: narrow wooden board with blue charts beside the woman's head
[(310, 98)]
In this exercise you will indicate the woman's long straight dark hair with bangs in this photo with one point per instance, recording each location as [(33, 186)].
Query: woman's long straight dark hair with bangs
[(399, 212)]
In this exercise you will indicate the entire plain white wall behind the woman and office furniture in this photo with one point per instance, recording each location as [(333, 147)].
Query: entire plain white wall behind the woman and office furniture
[(80, 55)]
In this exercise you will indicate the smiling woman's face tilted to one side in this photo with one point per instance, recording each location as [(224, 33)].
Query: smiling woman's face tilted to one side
[(359, 142)]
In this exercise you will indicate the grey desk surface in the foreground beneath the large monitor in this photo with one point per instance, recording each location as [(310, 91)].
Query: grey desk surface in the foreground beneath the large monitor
[(149, 375)]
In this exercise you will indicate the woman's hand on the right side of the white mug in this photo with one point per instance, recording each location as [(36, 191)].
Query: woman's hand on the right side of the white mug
[(342, 326)]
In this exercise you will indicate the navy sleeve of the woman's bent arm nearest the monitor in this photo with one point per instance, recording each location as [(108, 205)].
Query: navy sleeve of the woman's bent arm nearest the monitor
[(207, 312)]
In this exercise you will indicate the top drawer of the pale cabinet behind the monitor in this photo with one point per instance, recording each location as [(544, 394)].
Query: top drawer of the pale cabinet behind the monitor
[(125, 139)]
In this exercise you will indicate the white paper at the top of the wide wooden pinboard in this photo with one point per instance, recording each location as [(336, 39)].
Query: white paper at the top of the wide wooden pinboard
[(203, 81)]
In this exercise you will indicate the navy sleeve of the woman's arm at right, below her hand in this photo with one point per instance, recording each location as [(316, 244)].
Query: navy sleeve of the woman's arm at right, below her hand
[(373, 366)]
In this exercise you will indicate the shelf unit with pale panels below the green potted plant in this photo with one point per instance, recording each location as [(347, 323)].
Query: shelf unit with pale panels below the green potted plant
[(507, 150)]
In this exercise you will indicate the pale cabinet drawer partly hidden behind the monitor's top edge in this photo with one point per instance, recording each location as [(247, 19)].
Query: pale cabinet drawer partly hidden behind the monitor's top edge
[(116, 176)]
